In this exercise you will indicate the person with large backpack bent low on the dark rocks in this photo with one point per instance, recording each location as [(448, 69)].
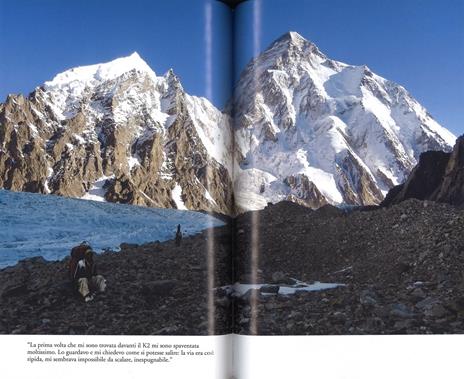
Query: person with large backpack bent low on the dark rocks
[(83, 272)]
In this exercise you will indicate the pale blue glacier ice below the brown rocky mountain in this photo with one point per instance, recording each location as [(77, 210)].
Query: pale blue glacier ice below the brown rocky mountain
[(49, 226)]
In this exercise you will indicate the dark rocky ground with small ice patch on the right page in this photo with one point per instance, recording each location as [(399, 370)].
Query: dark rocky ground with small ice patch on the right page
[(403, 270)]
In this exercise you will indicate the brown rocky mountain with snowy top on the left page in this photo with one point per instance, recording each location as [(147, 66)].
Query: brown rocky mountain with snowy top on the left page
[(118, 132)]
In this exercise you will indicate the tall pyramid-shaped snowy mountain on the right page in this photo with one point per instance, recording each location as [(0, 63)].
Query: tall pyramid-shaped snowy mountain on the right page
[(316, 131)]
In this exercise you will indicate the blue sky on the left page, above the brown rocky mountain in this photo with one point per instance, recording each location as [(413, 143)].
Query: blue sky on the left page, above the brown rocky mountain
[(40, 38)]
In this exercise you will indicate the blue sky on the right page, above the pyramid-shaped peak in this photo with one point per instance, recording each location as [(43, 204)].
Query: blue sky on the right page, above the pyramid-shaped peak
[(416, 43)]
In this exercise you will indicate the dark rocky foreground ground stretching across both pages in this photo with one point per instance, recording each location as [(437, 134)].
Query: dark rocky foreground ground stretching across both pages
[(402, 271)]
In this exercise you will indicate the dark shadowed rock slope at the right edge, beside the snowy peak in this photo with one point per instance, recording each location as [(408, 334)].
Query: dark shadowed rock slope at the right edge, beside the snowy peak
[(438, 176)]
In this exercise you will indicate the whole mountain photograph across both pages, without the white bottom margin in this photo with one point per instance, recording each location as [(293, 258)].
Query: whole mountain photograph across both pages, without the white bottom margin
[(228, 172)]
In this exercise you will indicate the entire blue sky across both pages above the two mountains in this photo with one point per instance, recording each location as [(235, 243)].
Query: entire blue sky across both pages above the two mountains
[(417, 43)]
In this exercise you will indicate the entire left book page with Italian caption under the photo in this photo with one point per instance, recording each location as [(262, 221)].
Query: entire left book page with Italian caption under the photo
[(115, 187)]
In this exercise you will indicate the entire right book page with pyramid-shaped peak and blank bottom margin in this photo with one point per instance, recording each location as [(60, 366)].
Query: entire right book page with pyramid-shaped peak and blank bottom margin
[(348, 181)]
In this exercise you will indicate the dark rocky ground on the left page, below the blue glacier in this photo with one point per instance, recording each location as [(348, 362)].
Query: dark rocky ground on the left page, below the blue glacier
[(157, 288)]
